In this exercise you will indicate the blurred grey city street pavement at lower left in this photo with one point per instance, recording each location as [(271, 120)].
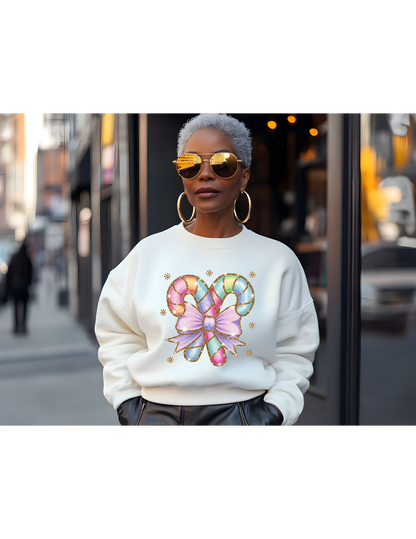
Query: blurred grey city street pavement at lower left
[(50, 378)]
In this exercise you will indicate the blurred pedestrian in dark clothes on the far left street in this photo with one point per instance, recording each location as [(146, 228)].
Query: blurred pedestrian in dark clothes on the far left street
[(19, 279)]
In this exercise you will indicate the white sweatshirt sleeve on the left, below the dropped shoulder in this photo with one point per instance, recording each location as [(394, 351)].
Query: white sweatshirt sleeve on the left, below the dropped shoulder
[(118, 343)]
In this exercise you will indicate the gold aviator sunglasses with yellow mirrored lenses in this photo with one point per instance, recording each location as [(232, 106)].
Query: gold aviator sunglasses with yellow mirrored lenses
[(223, 165)]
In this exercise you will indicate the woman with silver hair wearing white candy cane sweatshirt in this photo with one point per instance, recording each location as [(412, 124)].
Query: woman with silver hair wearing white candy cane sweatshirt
[(208, 325)]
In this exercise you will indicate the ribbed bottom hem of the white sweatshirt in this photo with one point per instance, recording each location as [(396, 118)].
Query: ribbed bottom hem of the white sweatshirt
[(198, 396)]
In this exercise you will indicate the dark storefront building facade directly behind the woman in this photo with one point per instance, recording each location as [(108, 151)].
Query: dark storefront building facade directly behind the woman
[(336, 186)]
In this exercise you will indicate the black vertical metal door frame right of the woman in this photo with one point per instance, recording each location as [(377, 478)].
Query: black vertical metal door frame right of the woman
[(344, 266)]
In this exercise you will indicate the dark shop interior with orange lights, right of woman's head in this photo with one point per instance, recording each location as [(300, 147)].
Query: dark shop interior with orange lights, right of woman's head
[(288, 187)]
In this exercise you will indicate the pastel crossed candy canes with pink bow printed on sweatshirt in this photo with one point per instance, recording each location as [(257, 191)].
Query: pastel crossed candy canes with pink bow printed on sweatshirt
[(206, 325)]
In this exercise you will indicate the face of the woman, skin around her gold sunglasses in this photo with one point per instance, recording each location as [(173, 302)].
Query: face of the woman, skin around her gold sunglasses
[(207, 192)]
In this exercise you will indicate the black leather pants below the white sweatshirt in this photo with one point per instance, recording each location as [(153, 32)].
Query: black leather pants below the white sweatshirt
[(138, 414)]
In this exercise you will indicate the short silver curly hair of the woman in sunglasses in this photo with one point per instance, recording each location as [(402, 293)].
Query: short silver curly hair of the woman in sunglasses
[(239, 135)]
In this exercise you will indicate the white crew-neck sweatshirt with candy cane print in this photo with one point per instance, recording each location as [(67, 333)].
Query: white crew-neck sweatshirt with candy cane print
[(193, 321)]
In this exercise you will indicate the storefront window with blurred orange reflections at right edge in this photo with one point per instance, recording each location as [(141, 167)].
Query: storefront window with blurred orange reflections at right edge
[(388, 361)]
